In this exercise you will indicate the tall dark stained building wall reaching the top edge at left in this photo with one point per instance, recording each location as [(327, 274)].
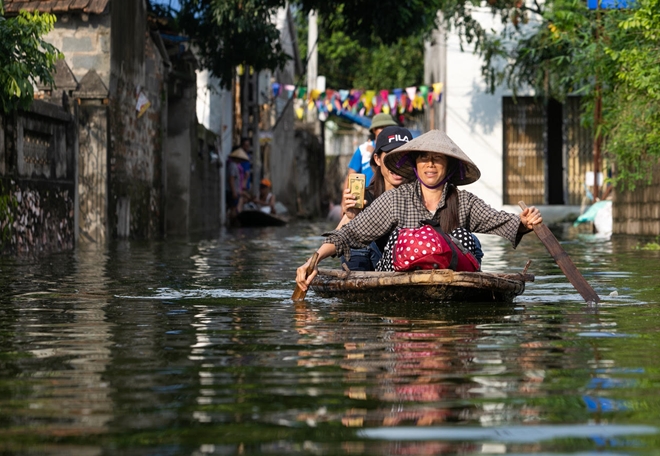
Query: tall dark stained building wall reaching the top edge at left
[(135, 206)]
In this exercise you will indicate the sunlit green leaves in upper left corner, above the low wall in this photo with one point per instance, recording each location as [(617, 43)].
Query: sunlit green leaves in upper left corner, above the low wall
[(25, 58)]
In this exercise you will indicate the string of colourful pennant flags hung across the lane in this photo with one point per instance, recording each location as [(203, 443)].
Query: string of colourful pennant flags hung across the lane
[(361, 102)]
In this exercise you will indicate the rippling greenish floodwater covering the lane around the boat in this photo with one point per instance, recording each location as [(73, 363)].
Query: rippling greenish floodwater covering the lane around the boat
[(193, 347)]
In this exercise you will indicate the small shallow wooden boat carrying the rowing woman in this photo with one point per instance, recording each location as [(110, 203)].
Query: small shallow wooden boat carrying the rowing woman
[(439, 285)]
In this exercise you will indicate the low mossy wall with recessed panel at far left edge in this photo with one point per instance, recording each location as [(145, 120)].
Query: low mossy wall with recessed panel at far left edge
[(37, 181)]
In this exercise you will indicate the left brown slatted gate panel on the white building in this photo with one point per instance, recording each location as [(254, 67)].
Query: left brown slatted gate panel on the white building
[(524, 126)]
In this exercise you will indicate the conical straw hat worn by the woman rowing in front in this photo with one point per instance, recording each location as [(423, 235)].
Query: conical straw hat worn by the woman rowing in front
[(434, 141)]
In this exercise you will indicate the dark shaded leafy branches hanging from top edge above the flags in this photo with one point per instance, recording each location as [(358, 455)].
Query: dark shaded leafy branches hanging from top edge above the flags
[(231, 33)]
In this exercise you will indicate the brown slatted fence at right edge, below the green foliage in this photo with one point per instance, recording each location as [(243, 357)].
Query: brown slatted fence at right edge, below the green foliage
[(638, 212)]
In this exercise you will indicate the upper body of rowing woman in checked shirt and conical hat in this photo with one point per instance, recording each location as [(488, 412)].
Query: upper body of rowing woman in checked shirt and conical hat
[(436, 165)]
